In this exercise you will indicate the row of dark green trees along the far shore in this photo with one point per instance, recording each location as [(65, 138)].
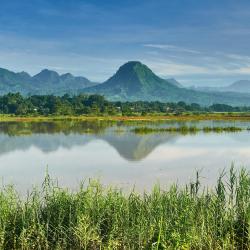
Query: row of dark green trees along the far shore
[(15, 103)]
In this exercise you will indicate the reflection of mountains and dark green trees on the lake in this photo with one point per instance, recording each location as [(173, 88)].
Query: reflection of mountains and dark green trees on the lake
[(49, 137)]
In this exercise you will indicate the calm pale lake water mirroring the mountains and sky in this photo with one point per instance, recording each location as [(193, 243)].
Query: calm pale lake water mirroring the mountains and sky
[(77, 151)]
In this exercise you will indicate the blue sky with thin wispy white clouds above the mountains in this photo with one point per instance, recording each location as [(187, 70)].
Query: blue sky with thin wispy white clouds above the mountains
[(201, 43)]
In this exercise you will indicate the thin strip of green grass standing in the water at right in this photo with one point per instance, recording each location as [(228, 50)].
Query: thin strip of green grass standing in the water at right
[(186, 129)]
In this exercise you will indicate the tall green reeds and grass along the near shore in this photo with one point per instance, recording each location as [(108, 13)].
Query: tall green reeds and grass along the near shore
[(95, 217)]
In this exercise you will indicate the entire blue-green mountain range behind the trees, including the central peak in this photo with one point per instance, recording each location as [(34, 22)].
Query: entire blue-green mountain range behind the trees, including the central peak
[(133, 81)]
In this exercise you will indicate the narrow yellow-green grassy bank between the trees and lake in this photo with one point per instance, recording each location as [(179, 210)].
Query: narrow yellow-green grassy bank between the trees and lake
[(151, 117)]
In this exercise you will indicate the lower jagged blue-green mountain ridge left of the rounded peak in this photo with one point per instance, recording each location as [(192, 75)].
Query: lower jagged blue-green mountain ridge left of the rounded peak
[(45, 82)]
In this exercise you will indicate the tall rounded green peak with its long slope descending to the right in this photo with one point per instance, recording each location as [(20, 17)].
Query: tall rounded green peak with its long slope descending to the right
[(135, 81)]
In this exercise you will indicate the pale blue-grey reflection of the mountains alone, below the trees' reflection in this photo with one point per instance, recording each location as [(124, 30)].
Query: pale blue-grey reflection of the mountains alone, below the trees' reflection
[(129, 146)]
